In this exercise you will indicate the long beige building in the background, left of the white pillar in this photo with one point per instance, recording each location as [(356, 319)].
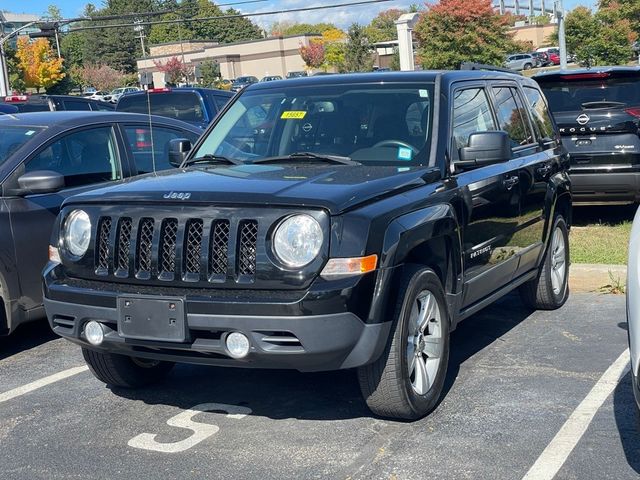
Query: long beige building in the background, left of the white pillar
[(270, 56)]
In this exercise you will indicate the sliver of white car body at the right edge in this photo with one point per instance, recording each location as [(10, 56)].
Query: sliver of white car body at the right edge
[(633, 304)]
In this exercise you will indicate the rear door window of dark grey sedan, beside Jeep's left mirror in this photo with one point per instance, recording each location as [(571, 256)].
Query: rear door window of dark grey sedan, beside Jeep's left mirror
[(151, 151)]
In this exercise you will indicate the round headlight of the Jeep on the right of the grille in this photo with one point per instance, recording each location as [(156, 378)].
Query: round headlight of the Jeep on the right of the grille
[(297, 241)]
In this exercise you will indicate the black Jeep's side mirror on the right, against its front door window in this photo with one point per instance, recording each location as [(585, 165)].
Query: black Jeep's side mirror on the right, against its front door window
[(485, 148)]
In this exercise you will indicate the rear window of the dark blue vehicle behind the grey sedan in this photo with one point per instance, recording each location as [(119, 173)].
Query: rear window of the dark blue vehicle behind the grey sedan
[(185, 106)]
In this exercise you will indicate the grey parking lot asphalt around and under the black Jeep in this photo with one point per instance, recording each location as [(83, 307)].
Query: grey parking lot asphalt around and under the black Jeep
[(515, 378)]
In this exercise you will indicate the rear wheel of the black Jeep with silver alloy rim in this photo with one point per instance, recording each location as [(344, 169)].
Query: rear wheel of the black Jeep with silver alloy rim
[(550, 289)]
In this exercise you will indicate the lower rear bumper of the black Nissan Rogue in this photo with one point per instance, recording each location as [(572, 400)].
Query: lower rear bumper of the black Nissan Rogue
[(605, 186)]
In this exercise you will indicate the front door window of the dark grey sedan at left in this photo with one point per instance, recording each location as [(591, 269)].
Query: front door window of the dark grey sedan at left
[(83, 157)]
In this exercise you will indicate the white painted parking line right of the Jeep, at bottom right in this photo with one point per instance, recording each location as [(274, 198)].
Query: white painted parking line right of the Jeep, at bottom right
[(557, 452)]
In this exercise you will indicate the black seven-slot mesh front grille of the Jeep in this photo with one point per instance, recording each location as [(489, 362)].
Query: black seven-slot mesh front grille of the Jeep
[(167, 249)]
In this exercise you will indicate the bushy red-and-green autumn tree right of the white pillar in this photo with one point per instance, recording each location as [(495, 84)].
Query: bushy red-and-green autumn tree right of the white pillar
[(455, 31)]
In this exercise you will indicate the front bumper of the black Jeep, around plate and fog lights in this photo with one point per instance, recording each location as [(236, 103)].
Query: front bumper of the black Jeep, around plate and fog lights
[(330, 340)]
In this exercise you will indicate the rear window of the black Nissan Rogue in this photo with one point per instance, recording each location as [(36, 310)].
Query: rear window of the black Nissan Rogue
[(571, 96)]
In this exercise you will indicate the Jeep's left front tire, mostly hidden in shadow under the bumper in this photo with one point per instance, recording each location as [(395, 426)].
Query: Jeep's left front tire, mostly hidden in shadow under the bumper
[(123, 371)]
